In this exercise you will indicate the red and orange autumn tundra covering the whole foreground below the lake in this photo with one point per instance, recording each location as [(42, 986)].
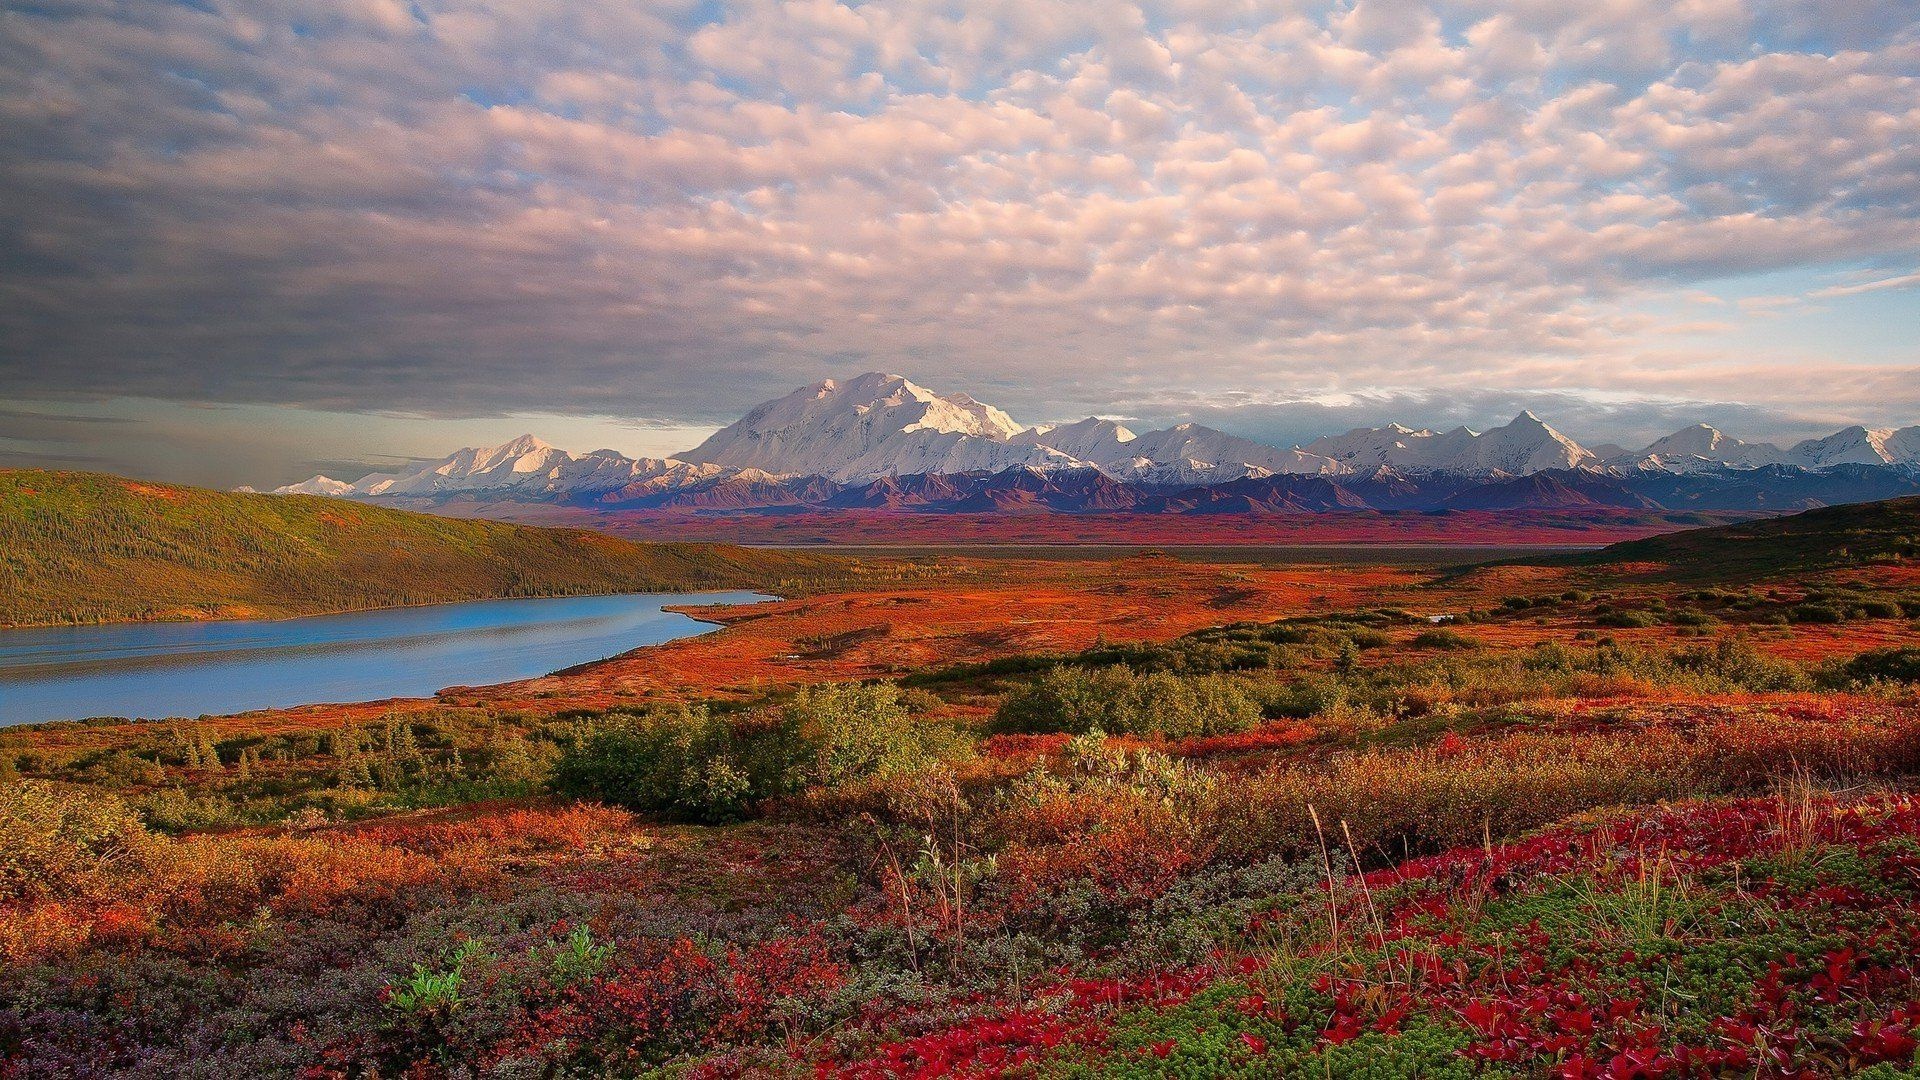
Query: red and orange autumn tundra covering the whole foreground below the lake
[(1637, 814)]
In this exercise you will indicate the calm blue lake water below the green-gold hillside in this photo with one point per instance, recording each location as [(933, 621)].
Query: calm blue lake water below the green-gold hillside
[(185, 670)]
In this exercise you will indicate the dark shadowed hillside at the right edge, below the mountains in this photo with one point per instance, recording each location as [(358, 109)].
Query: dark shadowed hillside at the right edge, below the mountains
[(1813, 541)]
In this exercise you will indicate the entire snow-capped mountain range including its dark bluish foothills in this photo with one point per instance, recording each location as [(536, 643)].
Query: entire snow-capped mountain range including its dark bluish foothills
[(882, 441)]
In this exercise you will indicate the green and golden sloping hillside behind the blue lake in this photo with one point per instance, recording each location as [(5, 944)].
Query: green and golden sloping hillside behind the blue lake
[(91, 549)]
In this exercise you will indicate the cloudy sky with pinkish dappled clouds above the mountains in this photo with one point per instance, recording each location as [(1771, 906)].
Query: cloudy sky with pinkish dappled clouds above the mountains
[(251, 241)]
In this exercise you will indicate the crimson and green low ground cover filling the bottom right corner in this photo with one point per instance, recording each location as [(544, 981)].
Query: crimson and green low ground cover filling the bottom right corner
[(1735, 939)]
